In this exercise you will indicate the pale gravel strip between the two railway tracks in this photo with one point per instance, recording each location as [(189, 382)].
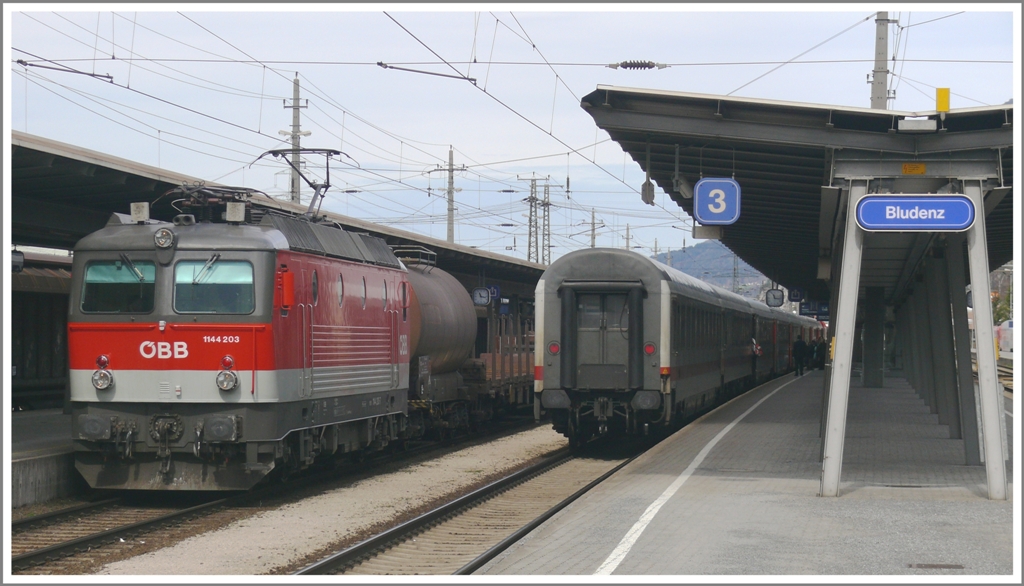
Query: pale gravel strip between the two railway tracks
[(280, 540)]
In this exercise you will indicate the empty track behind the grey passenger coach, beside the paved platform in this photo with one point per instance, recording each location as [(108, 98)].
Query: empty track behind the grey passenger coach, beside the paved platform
[(463, 535)]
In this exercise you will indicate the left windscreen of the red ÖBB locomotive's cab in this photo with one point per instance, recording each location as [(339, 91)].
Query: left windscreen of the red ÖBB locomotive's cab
[(122, 286)]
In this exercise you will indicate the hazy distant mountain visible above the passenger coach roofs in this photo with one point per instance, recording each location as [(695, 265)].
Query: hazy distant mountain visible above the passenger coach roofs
[(712, 263)]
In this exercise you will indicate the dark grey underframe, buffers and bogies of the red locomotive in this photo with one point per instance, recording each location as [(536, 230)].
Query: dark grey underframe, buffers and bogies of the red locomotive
[(204, 447)]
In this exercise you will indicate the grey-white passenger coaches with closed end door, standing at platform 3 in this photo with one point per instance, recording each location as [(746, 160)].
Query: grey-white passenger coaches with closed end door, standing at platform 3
[(630, 344)]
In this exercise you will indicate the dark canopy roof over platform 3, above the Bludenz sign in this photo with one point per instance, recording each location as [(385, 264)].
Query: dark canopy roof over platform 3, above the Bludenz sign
[(783, 156)]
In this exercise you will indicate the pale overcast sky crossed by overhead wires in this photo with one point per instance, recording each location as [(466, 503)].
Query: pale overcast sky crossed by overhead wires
[(201, 92)]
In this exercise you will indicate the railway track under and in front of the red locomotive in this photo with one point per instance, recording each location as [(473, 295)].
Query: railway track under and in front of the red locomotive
[(55, 542)]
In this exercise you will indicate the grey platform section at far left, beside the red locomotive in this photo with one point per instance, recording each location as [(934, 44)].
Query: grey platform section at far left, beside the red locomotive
[(42, 466)]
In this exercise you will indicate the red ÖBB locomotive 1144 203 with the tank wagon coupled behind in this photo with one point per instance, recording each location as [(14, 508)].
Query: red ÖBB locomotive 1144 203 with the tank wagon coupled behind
[(205, 355)]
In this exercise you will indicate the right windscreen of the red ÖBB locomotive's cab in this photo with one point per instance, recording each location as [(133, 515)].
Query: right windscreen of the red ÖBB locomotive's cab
[(215, 286)]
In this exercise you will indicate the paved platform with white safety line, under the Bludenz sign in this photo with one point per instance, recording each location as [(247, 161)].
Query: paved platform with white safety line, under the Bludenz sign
[(740, 498)]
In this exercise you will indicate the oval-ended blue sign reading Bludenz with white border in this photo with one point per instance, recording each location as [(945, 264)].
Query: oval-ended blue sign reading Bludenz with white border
[(916, 214)]
